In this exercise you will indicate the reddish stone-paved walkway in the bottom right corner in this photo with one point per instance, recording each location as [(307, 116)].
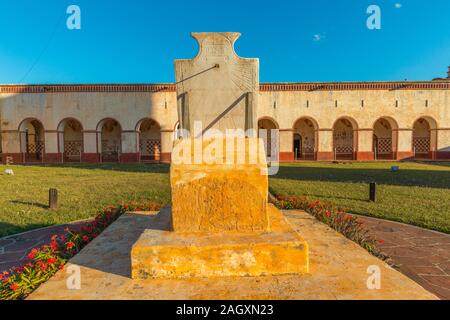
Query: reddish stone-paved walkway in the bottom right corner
[(422, 255)]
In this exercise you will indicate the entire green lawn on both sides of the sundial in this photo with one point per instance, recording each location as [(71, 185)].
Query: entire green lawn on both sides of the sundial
[(419, 194)]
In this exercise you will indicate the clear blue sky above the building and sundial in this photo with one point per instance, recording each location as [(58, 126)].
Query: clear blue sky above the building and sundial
[(136, 41)]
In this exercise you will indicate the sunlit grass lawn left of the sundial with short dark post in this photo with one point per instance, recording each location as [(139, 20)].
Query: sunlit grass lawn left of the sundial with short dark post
[(82, 190)]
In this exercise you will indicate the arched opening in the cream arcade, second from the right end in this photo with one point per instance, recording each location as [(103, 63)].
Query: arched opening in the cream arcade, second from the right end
[(385, 139)]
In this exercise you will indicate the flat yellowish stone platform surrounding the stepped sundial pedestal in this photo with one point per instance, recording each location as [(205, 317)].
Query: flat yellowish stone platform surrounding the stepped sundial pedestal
[(338, 271)]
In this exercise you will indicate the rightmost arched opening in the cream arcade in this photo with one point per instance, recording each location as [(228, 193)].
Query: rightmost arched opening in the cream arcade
[(424, 138)]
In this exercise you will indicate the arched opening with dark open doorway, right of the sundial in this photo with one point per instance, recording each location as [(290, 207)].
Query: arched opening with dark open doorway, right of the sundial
[(305, 139)]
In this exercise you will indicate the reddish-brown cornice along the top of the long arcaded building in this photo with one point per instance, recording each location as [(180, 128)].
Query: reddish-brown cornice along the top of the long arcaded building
[(264, 87)]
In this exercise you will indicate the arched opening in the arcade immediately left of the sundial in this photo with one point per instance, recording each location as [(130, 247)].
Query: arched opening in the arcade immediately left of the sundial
[(149, 140)]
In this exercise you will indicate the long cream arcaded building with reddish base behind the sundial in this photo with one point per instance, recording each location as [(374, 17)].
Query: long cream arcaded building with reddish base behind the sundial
[(362, 121)]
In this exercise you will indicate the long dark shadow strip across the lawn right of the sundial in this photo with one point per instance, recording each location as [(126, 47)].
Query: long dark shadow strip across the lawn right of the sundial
[(422, 178)]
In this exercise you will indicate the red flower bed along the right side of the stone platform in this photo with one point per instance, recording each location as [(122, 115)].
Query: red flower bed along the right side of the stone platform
[(336, 218)]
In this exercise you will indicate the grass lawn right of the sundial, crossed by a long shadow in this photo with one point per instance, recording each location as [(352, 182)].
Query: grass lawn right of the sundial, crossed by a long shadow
[(419, 194)]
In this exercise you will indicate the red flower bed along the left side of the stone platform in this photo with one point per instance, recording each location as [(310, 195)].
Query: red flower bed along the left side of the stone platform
[(42, 263)]
